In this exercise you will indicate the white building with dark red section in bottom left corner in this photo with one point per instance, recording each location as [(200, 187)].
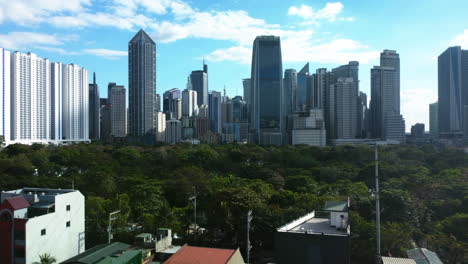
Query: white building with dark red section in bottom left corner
[(37, 221)]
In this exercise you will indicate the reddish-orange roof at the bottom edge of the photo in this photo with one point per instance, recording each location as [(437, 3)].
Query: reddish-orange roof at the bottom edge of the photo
[(200, 255)]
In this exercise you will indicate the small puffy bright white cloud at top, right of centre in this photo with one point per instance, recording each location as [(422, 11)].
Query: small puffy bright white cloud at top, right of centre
[(330, 12)]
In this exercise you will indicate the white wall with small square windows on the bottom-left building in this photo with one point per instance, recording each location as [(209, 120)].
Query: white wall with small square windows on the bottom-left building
[(60, 242)]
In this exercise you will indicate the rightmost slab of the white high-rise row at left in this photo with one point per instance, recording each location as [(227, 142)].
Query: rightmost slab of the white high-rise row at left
[(75, 103)]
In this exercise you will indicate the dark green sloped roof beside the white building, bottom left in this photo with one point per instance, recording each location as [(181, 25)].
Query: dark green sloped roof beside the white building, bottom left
[(97, 253)]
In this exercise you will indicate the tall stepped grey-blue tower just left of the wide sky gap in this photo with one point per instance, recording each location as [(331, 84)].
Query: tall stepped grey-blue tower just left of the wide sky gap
[(387, 123)]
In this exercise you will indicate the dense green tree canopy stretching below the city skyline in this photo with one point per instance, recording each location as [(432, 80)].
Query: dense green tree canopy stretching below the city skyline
[(424, 191)]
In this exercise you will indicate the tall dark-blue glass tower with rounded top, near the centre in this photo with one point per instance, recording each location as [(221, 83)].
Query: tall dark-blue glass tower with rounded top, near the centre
[(267, 90)]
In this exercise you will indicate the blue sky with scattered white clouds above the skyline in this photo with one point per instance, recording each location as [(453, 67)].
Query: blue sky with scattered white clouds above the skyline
[(95, 33)]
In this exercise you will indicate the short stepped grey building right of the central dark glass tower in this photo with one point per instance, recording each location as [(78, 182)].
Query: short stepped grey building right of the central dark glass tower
[(309, 129)]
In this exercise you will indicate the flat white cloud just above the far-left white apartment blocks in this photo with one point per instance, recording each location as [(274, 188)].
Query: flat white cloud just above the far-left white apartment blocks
[(24, 40)]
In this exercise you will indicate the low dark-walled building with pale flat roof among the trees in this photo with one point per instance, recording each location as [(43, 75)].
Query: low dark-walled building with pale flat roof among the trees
[(319, 237)]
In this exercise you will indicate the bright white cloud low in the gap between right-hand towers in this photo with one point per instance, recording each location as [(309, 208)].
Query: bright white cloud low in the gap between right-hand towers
[(415, 105)]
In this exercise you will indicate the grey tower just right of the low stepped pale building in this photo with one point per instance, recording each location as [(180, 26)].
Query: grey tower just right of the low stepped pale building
[(345, 112)]
